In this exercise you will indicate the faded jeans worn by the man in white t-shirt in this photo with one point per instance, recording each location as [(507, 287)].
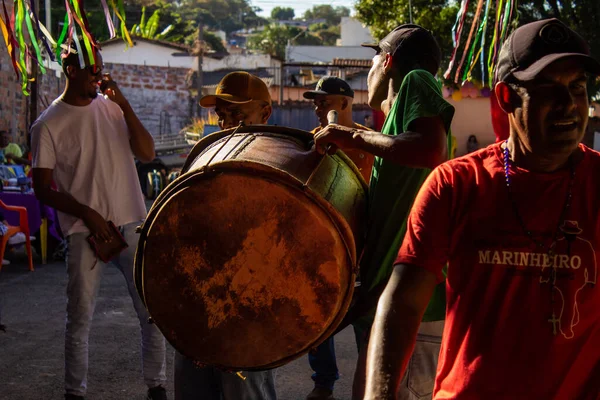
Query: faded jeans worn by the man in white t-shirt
[(85, 272)]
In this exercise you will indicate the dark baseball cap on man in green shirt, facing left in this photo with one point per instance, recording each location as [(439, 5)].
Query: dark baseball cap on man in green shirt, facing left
[(409, 39)]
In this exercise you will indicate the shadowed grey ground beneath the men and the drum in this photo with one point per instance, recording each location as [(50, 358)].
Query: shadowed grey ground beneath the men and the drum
[(32, 349)]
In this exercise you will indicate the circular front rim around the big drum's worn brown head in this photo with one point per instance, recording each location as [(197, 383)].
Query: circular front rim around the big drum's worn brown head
[(282, 177)]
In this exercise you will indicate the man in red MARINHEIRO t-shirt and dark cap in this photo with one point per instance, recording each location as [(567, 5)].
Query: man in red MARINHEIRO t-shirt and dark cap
[(518, 225)]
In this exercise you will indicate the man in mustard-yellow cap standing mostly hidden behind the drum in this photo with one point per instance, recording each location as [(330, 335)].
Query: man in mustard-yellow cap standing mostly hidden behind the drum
[(240, 97)]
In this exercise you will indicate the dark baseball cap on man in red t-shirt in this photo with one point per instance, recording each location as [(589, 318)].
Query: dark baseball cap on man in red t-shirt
[(534, 46)]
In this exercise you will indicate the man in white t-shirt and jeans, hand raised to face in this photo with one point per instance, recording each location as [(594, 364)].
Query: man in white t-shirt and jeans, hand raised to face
[(86, 142)]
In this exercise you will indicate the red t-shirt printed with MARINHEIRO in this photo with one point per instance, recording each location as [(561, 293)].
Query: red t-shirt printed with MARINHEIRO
[(498, 341)]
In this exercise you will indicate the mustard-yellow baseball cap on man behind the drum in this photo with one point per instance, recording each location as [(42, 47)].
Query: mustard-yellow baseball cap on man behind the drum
[(238, 87)]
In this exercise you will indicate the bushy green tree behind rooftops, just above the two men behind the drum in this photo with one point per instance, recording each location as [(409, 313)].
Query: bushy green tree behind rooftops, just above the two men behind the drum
[(274, 39)]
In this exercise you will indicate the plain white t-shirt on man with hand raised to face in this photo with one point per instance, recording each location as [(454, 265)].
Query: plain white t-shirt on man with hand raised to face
[(88, 149)]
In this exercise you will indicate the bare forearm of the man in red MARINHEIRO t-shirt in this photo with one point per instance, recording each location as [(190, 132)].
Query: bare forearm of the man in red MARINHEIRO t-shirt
[(399, 313)]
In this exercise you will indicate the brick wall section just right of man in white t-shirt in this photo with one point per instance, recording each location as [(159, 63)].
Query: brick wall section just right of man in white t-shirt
[(158, 95)]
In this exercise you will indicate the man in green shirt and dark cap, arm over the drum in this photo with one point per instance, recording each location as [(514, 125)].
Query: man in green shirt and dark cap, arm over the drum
[(414, 139)]
